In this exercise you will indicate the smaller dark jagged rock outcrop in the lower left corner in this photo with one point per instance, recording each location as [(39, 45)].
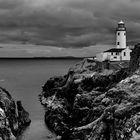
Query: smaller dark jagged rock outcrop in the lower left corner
[(13, 117)]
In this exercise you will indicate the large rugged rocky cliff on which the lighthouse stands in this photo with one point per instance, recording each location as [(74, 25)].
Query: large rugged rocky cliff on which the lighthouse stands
[(95, 101)]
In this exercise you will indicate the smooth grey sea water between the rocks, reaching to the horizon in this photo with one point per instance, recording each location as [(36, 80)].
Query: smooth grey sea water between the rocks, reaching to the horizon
[(24, 78)]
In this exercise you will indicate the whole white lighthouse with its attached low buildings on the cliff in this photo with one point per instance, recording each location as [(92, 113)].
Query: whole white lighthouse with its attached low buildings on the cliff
[(121, 52)]
